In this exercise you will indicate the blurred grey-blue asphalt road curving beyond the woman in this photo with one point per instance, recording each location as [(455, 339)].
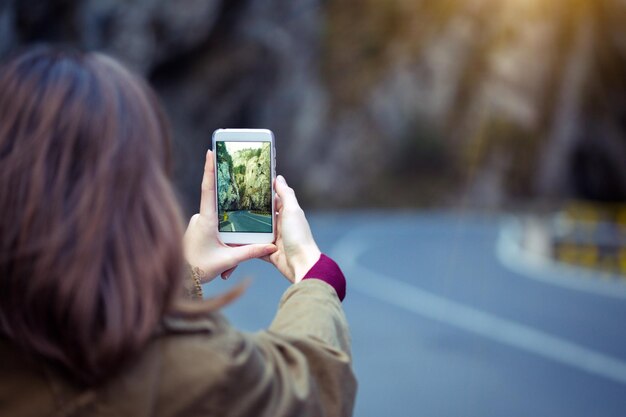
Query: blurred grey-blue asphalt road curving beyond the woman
[(443, 326)]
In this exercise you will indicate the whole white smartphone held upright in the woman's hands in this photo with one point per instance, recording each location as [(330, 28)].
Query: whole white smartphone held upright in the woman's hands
[(245, 166)]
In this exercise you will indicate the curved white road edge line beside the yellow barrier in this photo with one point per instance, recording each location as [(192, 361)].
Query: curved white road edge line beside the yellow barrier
[(525, 263)]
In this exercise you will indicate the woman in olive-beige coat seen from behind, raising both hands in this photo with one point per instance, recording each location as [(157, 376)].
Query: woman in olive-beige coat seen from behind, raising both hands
[(94, 319)]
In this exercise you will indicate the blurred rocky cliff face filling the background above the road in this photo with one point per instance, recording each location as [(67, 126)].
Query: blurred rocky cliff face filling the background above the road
[(478, 102)]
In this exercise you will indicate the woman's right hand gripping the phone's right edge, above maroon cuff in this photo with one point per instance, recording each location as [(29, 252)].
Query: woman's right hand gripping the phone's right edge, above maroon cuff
[(297, 251)]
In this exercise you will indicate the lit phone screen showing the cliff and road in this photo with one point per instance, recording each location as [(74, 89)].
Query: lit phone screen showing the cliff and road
[(244, 186)]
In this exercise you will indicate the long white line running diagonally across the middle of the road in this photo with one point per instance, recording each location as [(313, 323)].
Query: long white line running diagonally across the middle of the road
[(470, 319)]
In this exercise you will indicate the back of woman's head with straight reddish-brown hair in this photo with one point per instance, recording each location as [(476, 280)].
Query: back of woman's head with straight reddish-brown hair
[(90, 234)]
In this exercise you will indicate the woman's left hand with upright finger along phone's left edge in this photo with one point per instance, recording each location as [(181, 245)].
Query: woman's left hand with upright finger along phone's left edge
[(204, 250)]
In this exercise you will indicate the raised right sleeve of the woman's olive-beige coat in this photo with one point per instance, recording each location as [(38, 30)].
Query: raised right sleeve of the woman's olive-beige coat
[(301, 366)]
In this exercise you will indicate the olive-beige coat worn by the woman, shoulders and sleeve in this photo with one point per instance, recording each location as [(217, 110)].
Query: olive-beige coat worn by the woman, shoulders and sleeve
[(300, 367)]
